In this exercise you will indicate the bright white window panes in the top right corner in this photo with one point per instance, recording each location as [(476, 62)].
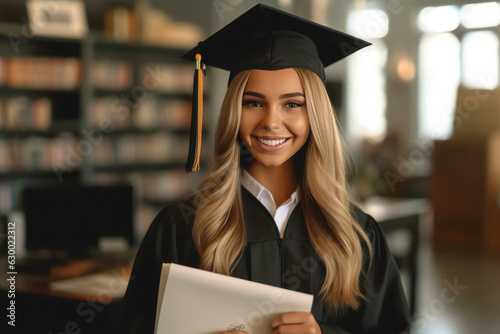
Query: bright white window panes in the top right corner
[(459, 46)]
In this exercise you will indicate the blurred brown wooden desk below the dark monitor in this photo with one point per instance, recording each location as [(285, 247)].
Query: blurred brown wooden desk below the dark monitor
[(40, 309)]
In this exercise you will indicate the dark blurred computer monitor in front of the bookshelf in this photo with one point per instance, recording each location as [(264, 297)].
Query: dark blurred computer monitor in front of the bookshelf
[(74, 217)]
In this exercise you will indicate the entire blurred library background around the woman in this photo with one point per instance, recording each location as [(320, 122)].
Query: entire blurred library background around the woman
[(94, 124)]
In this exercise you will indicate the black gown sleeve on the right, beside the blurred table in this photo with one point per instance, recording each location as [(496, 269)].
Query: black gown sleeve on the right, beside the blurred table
[(385, 309)]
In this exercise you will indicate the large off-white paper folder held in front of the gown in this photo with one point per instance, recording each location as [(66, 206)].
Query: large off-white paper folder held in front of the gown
[(194, 301)]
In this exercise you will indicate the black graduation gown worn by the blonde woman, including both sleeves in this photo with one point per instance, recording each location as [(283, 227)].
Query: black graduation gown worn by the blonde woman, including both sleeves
[(290, 262)]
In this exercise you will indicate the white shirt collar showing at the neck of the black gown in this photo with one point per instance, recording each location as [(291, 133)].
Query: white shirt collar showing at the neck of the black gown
[(264, 196)]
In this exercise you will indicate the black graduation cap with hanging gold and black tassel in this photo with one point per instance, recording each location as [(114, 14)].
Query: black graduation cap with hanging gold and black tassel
[(268, 39)]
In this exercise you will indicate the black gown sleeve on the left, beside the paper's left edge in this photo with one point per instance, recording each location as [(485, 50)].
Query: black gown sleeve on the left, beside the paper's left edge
[(164, 242)]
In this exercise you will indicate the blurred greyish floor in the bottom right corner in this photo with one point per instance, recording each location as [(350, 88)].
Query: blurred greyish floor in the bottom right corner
[(458, 293)]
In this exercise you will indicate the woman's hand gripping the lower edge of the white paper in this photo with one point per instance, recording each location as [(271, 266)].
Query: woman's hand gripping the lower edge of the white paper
[(295, 322)]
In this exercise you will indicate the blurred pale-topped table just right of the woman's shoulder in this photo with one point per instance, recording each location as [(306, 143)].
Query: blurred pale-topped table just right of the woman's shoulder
[(400, 220)]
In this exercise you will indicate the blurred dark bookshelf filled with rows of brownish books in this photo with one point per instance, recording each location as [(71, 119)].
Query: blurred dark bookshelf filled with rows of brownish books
[(95, 111)]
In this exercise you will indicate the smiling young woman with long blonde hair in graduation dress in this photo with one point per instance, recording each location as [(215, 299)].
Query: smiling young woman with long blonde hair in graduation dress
[(275, 208)]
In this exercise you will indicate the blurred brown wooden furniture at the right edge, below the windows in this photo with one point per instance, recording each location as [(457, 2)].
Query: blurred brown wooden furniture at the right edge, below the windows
[(465, 186)]
